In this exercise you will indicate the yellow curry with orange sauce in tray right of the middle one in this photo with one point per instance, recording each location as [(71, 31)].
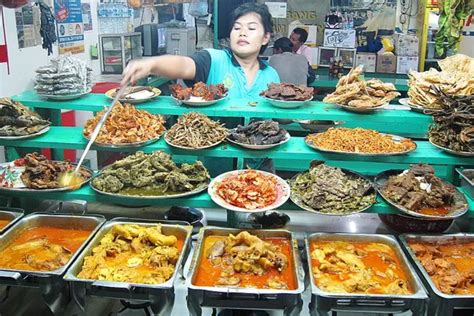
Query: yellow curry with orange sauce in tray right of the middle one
[(357, 268)]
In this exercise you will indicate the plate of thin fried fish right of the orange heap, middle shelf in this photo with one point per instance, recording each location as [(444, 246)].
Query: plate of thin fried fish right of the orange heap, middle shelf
[(195, 131)]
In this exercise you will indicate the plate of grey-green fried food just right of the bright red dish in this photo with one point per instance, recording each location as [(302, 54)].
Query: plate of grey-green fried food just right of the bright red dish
[(331, 191)]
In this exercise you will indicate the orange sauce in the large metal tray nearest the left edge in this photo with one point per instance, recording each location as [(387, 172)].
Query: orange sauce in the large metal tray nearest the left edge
[(72, 239)]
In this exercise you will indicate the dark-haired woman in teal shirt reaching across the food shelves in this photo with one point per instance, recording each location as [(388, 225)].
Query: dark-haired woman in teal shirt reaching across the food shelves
[(239, 68)]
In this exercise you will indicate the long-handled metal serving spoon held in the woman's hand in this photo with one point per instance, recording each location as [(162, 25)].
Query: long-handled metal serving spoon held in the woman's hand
[(73, 178)]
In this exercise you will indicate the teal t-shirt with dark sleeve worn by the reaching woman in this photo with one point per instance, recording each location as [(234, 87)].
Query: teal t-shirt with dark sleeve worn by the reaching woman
[(222, 67)]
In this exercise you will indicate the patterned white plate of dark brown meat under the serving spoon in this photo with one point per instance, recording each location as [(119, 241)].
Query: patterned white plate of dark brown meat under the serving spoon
[(35, 173)]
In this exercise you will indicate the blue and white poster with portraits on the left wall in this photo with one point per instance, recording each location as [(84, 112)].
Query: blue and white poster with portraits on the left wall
[(68, 14)]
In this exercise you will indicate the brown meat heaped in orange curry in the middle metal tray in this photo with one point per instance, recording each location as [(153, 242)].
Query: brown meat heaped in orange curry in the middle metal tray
[(245, 260)]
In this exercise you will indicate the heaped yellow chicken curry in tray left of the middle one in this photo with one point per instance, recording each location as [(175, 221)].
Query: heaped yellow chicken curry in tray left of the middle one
[(135, 254)]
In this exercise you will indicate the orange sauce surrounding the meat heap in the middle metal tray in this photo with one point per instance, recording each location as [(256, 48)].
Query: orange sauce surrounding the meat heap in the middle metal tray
[(208, 274)]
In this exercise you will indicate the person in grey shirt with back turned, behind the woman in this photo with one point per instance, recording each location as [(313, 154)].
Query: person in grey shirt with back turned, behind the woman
[(291, 68)]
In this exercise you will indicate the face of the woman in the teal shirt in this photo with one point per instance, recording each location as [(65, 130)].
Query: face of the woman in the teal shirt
[(248, 35)]
